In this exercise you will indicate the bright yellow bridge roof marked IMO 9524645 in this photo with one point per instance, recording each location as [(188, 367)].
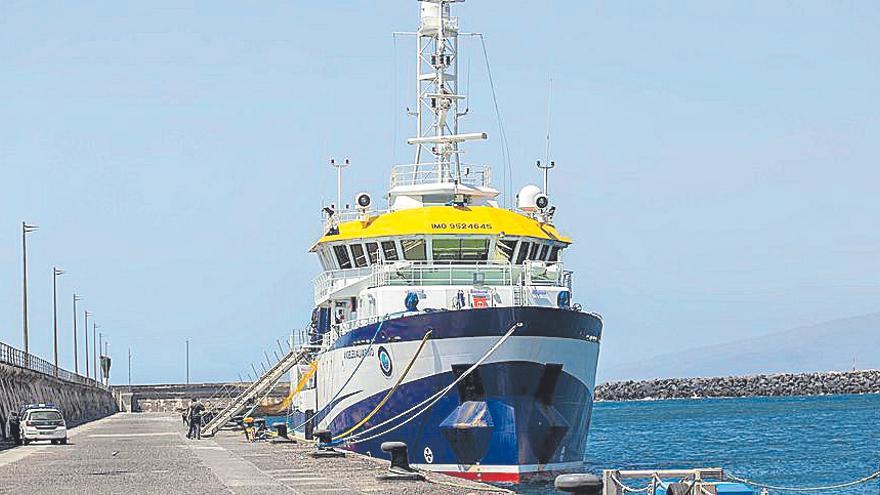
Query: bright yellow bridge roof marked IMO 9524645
[(477, 220)]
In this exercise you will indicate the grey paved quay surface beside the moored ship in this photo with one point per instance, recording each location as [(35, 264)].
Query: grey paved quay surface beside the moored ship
[(148, 453)]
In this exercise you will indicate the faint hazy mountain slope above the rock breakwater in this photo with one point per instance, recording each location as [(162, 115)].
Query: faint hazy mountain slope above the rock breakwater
[(825, 346)]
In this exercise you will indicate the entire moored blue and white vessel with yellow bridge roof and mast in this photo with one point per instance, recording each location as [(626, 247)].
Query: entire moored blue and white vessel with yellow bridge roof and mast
[(445, 320)]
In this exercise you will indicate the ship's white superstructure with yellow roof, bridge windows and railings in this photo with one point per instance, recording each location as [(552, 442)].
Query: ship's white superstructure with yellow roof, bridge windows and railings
[(440, 257)]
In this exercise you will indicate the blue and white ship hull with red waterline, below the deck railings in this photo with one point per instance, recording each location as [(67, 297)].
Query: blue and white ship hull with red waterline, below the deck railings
[(524, 412)]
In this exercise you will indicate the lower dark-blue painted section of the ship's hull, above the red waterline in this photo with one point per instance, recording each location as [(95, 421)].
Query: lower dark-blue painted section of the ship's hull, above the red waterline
[(522, 429)]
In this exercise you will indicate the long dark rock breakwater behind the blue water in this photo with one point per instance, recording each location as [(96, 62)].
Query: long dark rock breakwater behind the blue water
[(776, 385)]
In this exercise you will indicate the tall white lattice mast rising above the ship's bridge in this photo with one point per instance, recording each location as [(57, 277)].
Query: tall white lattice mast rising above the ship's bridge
[(437, 92)]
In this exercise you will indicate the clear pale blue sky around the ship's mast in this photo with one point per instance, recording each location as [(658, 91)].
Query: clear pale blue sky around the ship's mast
[(717, 162)]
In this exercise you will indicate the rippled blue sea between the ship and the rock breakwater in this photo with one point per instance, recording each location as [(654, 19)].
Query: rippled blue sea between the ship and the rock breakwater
[(805, 441)]
